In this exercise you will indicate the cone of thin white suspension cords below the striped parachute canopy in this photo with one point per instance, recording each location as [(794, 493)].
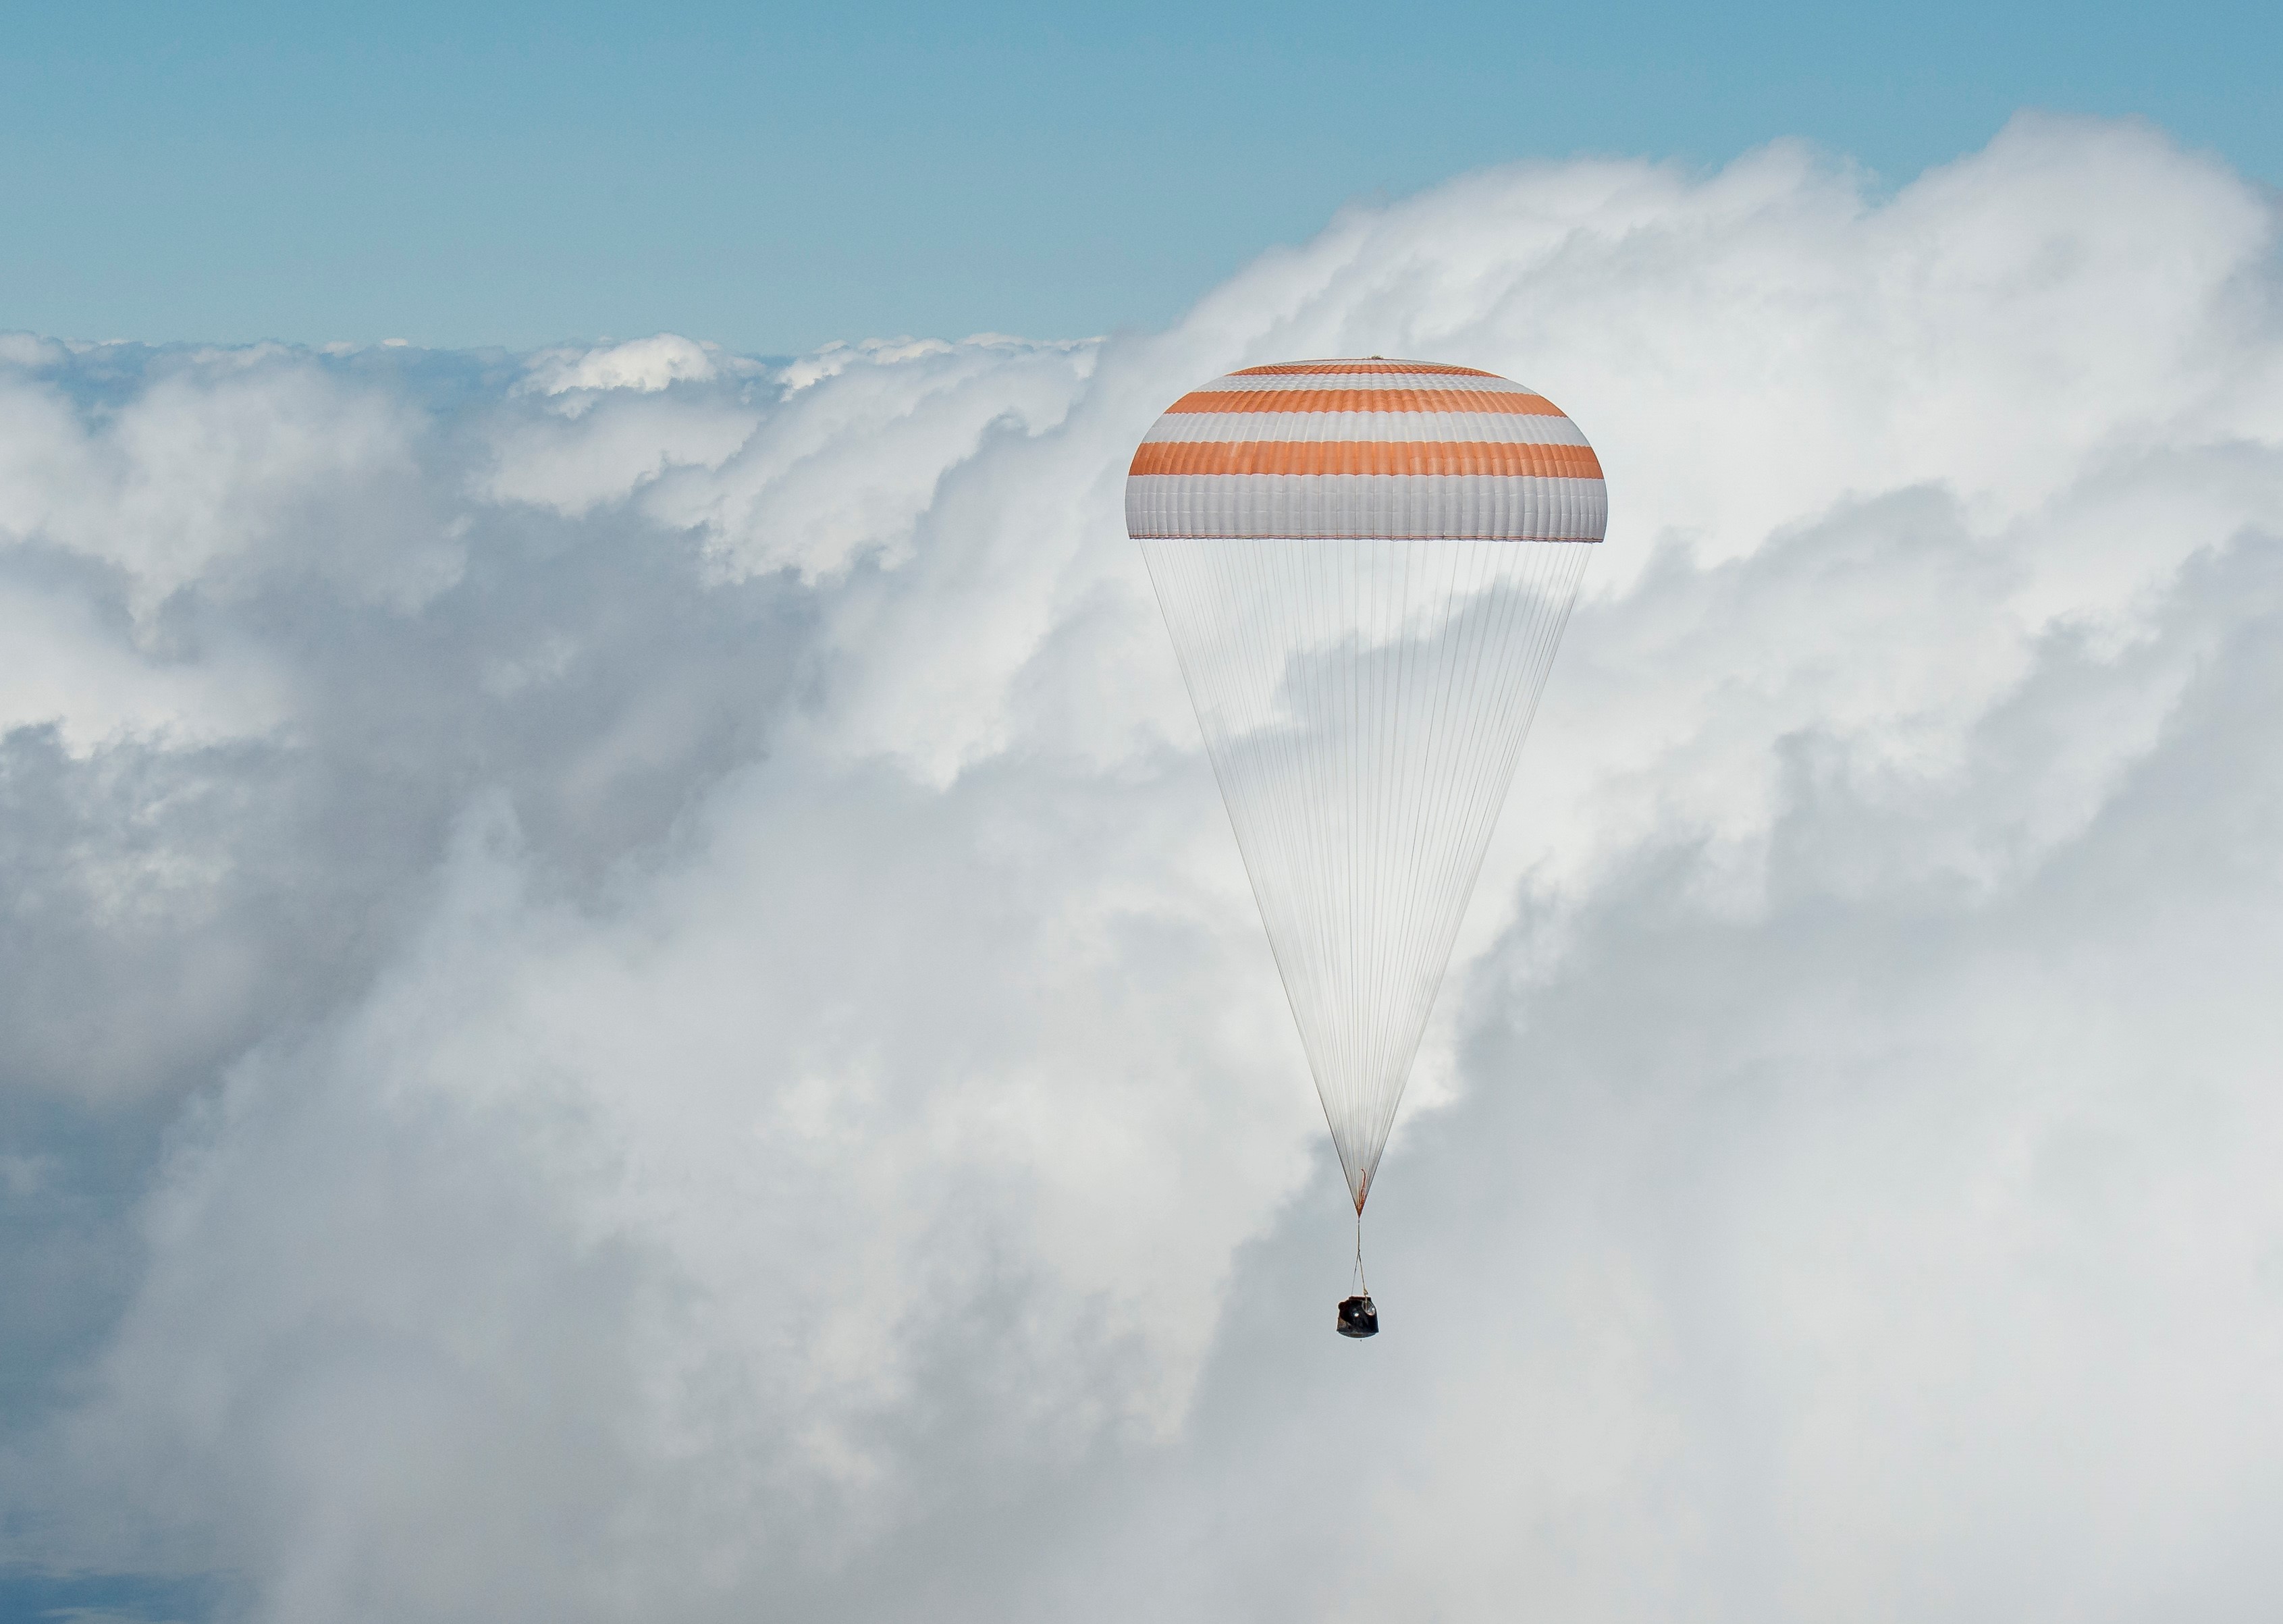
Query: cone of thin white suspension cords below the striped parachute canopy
[(1364, 705)]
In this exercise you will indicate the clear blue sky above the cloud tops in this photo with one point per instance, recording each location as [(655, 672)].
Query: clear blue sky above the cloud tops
[(780, 177)]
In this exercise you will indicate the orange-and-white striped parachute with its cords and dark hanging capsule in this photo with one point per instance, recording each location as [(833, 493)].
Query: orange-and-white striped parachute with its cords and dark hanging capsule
[(1366, 570)]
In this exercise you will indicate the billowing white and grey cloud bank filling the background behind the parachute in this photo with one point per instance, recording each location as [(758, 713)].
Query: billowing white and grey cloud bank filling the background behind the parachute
[(631, 974)]
